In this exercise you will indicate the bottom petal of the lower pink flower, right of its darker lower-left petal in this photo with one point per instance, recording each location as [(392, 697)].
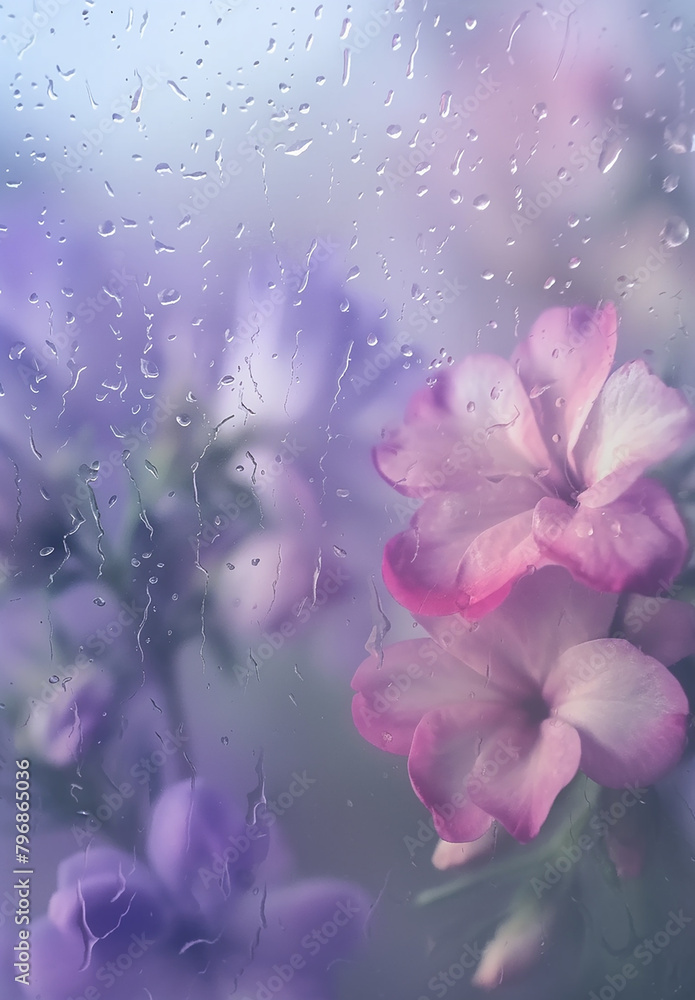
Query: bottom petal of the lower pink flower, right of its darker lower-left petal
[(520, 770)]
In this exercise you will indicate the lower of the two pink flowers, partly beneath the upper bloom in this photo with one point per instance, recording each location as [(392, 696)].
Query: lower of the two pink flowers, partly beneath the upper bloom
[(497, 716)]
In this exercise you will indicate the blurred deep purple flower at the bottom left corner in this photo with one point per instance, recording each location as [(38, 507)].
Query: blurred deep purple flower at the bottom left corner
[(188, 919)]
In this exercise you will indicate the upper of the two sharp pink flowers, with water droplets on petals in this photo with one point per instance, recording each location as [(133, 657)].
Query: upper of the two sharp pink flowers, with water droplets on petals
[(536, 461)]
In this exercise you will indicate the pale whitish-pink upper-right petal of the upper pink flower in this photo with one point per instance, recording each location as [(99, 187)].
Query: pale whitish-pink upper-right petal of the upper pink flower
[(636, 422)]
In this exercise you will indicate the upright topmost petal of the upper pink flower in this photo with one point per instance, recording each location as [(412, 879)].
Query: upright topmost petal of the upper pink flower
[(563, 363)]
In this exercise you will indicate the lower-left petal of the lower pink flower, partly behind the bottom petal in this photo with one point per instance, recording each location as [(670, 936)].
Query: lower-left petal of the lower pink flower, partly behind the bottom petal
[(443, 752)]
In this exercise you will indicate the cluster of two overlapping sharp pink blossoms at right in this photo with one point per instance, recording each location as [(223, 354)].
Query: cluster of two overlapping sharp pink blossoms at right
[(537, 534)]
